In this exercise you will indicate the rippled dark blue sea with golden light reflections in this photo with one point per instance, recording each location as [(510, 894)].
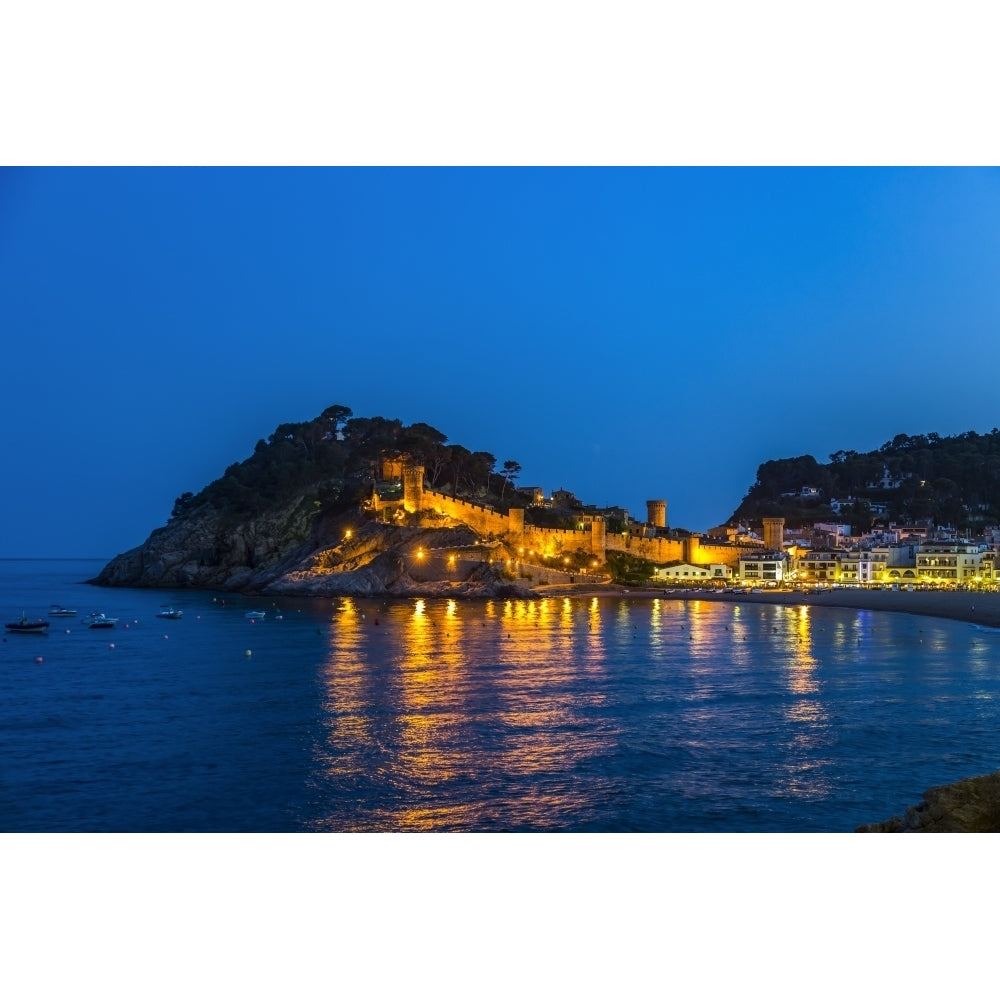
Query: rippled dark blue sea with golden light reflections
[(579, 714)]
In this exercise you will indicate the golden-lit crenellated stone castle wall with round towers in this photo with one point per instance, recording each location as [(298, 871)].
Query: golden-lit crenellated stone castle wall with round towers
[(652, 542)]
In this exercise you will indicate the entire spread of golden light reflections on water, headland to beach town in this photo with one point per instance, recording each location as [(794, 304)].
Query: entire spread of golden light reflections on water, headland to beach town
[(467, 716)]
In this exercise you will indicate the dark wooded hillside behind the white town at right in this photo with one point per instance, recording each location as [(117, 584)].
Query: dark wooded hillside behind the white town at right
[(947, 480)]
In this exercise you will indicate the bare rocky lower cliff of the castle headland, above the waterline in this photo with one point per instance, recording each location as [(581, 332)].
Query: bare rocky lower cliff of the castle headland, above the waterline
[(296, 549)]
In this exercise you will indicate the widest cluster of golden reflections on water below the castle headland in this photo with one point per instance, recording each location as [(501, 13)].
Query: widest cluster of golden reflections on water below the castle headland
[(479, 701)]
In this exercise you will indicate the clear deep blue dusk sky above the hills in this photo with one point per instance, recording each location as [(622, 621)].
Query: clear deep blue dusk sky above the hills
[(624, 333)]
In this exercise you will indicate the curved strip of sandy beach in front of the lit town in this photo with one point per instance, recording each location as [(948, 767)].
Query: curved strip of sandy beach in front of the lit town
[(979, 608)]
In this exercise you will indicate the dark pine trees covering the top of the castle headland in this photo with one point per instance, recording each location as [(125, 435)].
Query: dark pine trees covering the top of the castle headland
[(336, 458)]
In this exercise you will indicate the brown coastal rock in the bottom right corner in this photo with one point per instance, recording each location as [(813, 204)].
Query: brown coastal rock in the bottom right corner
[(971, 805)]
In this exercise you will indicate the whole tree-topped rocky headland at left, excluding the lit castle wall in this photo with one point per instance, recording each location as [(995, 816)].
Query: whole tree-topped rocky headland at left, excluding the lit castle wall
[(296, 516)]
